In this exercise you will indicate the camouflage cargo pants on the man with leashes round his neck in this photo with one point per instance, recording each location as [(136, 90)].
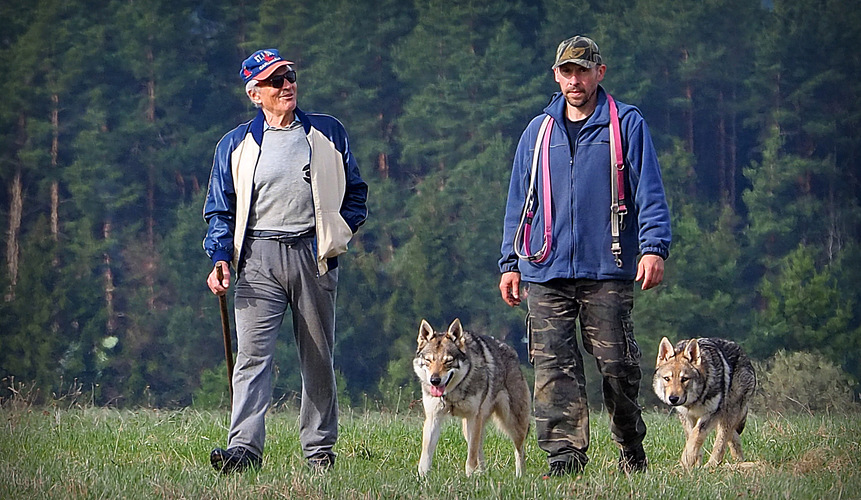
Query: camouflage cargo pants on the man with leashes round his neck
[(603, 309)]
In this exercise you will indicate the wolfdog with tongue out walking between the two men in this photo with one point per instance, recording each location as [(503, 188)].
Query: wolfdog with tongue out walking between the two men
[(473, 377)]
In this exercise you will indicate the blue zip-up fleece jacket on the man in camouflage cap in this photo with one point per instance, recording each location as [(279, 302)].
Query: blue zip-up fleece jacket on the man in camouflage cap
[(580, 189)]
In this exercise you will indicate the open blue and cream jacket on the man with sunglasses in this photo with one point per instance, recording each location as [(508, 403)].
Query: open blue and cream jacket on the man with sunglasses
[(337, 188)]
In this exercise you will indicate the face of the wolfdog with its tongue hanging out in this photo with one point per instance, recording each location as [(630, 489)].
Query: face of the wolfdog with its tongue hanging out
[(439, 364)]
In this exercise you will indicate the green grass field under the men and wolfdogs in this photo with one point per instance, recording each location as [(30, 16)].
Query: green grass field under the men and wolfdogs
[(107, 453)]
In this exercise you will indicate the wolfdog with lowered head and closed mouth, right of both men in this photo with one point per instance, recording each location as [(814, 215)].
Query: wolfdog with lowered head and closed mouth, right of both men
[(710, 383)]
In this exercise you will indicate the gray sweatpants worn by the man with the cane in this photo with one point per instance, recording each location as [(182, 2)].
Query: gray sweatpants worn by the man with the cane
[(276, 275)]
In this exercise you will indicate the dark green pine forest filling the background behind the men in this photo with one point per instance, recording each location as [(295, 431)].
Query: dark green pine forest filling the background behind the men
[(111, 110)]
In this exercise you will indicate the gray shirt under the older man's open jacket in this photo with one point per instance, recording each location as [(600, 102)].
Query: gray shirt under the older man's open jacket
[(282, 198)]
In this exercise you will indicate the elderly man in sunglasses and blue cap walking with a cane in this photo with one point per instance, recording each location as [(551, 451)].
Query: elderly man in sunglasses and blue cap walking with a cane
[(285, 197)]
